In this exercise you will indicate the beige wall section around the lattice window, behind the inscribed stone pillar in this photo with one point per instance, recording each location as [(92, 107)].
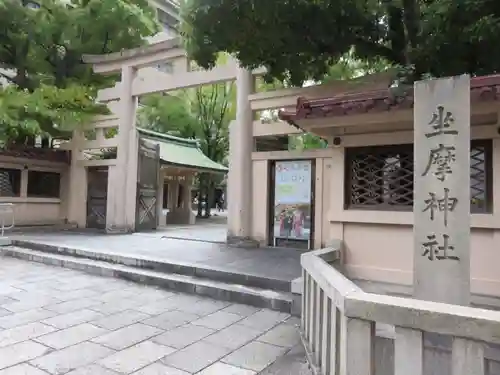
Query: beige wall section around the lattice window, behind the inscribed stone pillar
[(379, 245)]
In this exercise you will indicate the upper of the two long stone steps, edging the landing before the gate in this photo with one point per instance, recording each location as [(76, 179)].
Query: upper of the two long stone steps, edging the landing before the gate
[(163, 265)]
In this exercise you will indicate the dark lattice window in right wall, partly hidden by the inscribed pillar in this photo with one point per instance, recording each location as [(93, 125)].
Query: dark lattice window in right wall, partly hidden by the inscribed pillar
[(382, 177)]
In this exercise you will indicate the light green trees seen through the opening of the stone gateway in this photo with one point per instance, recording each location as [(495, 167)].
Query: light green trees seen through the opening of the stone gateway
[(204, 114)]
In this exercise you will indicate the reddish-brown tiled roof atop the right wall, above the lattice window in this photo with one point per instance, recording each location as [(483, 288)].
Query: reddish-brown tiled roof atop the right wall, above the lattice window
[(484, 88)]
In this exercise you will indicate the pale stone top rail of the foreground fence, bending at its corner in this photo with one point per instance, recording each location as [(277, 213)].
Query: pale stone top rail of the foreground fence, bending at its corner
[(468, 322)]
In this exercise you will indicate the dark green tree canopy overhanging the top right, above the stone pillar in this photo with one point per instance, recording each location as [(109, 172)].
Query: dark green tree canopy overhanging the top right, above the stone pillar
[(301, 39)]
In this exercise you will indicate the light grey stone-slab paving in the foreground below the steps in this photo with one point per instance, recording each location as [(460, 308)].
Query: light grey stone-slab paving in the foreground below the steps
[(59, 321)]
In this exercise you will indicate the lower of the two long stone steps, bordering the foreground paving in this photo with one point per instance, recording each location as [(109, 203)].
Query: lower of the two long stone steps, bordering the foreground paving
[(275, 300)]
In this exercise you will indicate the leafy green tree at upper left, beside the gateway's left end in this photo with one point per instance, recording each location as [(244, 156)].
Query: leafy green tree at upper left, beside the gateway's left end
[(48, 89)]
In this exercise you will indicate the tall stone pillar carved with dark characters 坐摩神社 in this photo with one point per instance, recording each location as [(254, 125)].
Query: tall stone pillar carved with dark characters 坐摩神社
[(442, 190)]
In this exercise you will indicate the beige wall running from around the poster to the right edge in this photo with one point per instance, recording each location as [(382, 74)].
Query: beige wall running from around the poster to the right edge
[(379, 244)]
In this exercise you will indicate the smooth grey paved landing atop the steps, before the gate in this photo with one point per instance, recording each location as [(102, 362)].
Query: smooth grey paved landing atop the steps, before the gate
[(283, 264)]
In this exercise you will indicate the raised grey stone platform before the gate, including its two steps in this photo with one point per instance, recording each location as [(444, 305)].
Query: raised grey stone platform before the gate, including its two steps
[(259, 277)]
